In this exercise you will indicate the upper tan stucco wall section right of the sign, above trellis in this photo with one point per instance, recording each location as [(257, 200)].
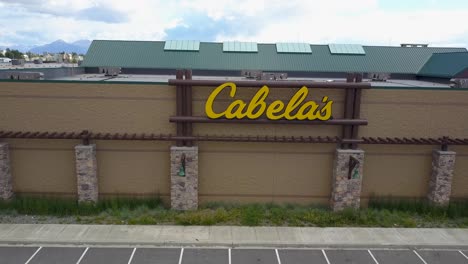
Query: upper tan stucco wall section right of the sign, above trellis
[(415, 113)]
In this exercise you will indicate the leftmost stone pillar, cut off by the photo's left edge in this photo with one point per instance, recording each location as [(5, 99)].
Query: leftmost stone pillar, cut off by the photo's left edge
[(6, 185)]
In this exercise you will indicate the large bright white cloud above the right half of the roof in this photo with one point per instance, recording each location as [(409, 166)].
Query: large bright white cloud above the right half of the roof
[(366, 24)]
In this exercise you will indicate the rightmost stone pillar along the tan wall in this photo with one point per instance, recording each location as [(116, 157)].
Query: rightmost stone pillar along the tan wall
[(440, 185)]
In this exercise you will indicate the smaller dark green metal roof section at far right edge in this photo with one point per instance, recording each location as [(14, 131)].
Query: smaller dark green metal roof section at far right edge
[(445, 65)]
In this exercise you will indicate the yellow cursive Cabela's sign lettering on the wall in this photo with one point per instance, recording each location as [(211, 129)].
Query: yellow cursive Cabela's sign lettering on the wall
[(295, 109)]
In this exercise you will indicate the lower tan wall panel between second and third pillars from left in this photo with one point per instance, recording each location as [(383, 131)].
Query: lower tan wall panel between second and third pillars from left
[(133, 167)]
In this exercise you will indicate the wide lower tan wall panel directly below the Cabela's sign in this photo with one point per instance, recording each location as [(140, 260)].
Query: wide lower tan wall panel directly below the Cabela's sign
[(250, 172)]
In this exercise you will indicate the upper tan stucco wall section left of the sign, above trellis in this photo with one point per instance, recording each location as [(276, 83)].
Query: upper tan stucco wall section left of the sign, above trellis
[(78, 106)]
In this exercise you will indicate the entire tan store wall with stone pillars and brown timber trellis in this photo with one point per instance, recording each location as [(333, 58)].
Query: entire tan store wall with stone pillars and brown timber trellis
[(188, 158)]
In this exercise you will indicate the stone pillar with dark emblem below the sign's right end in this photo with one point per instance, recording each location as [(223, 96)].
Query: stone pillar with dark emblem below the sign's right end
[(347, 179)]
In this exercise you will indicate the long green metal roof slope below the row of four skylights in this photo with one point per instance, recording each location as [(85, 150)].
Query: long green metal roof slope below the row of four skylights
[(151, 54)]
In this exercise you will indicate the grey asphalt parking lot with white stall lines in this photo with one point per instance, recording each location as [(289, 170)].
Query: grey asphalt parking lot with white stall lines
[(98, 255)]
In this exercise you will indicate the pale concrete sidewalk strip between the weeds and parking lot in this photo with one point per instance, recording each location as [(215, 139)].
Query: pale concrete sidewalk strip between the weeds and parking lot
[(232, 236)]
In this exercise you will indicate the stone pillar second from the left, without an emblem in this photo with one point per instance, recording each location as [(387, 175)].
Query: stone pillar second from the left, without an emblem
[(86, 173)]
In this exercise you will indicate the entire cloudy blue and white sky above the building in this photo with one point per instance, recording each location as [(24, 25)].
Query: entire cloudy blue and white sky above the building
[(376, 22)]
